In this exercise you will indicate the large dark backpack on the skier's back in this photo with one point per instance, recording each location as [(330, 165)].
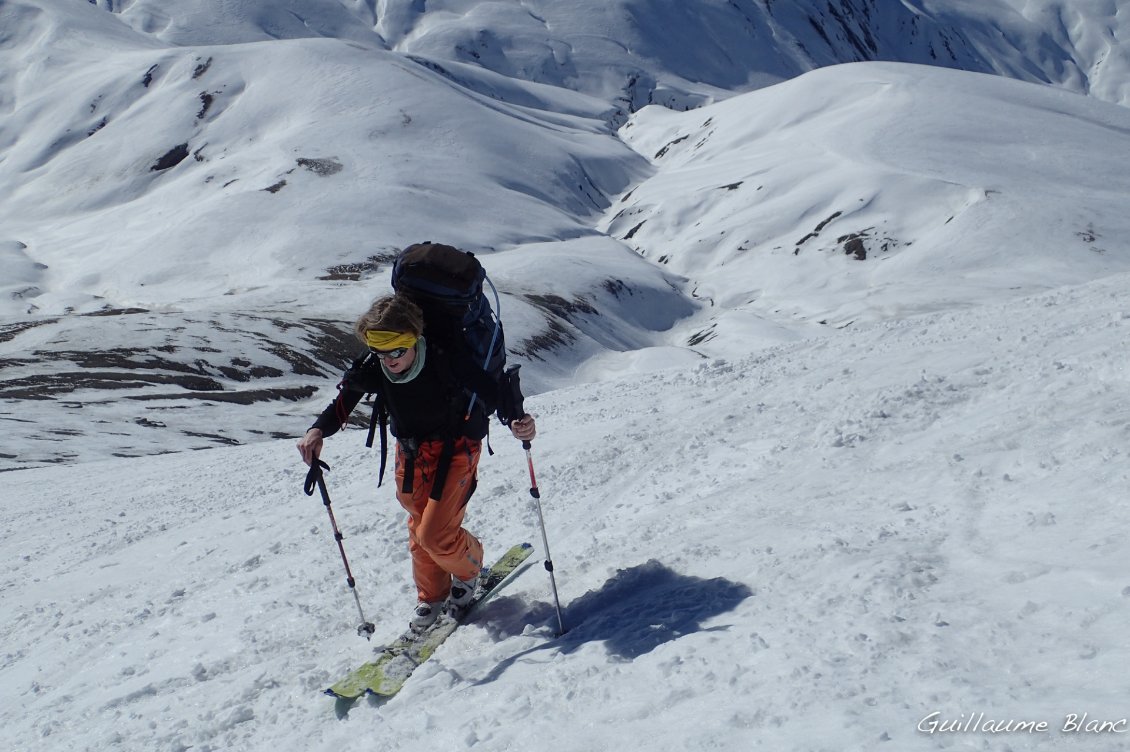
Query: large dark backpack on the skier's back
[(448, 286)]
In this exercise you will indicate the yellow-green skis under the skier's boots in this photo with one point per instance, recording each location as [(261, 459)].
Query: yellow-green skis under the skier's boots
[(397, 661)]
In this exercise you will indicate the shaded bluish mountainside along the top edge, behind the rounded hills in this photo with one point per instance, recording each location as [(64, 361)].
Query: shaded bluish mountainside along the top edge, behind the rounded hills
[(675, 54)]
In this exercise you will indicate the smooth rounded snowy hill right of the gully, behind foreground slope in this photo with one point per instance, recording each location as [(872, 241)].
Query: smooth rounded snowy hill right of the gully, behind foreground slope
[(873, 192)]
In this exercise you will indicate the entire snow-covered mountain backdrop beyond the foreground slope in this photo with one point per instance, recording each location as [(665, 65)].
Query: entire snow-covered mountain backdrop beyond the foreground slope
[(228, 184)]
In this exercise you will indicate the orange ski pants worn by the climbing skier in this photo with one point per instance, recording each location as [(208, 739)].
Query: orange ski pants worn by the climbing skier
[(439, 544)]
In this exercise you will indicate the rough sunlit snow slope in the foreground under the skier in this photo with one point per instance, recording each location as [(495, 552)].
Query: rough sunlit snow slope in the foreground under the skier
[(814, 548)]
